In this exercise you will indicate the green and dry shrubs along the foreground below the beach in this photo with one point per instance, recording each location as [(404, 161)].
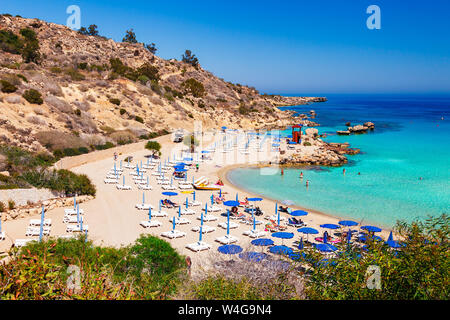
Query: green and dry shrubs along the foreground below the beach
[(151, 269)]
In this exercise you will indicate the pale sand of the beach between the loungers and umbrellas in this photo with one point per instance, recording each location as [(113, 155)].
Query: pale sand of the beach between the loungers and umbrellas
[(113, 219)]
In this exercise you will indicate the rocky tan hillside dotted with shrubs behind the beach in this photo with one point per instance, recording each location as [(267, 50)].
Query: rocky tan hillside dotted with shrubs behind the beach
[(62, 89)]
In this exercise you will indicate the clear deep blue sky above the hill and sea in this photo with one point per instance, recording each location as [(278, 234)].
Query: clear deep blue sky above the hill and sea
[(302, 47)]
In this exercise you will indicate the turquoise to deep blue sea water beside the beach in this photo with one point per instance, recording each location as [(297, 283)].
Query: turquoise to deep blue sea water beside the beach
[(410, 141)]
